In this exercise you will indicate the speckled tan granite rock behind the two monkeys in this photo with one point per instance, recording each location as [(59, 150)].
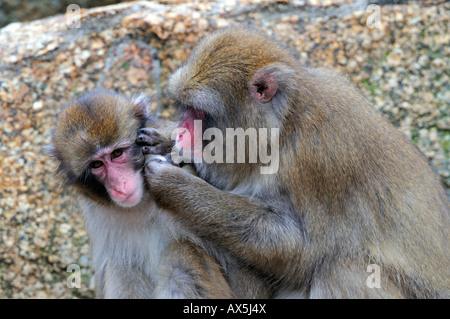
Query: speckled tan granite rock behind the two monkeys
[(403, 67)]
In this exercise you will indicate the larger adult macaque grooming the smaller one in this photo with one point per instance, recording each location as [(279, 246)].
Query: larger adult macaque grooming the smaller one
[(351, 194)]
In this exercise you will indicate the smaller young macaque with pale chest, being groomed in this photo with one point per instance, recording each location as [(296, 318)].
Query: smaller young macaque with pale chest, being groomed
[(138, 250)]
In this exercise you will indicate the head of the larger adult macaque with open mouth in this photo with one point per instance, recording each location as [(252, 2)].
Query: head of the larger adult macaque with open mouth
[(234, 71)]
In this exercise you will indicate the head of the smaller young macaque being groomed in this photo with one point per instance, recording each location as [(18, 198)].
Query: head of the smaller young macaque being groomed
[(94, 144)]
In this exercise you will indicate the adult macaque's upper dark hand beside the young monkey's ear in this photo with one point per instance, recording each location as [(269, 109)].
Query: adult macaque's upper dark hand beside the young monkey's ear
[(153, 141)]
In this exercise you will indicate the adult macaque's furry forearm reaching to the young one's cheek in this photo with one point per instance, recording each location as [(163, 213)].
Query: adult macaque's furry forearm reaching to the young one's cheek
[(257, 233)]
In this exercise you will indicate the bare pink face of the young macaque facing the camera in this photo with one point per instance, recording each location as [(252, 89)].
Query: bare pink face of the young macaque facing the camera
[(123, 183)]
